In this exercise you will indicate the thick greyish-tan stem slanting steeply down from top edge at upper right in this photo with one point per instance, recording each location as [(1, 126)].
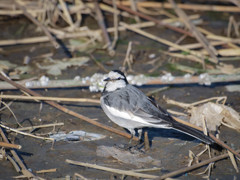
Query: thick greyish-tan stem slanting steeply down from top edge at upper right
[(208, 47)]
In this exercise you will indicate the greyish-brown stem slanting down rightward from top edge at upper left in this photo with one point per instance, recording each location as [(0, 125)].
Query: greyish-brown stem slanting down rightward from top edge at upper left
[(45, 30)]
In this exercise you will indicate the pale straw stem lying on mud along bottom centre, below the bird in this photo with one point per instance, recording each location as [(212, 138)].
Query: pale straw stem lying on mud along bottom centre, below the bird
[(118, 171)]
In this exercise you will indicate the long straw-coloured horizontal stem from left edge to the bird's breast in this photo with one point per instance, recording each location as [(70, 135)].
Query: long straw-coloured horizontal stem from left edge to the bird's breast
[(60, 99)]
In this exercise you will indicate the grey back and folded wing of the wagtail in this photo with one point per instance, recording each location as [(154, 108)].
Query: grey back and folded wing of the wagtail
[(131, 98)]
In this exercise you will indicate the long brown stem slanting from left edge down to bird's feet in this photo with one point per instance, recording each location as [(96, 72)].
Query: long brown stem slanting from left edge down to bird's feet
[(61, 108)]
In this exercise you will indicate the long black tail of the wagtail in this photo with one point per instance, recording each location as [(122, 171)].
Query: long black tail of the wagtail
[(193, 132)]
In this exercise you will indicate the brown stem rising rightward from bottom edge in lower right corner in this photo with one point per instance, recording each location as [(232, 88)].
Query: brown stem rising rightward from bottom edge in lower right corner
[(195, 166)]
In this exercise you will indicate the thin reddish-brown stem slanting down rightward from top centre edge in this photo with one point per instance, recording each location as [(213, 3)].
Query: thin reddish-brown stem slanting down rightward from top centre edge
[(149, 18)]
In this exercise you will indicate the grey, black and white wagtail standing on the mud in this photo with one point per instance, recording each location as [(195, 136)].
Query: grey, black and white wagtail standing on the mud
[(130, 108)]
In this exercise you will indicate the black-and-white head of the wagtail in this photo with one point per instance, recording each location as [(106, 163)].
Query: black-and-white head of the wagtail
[(115, 80)]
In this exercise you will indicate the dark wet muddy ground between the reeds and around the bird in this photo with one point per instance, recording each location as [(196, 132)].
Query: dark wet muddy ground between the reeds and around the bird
[(169, 147)]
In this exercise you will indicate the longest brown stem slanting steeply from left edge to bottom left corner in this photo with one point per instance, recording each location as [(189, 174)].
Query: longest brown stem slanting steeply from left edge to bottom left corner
[(24, 170)]
